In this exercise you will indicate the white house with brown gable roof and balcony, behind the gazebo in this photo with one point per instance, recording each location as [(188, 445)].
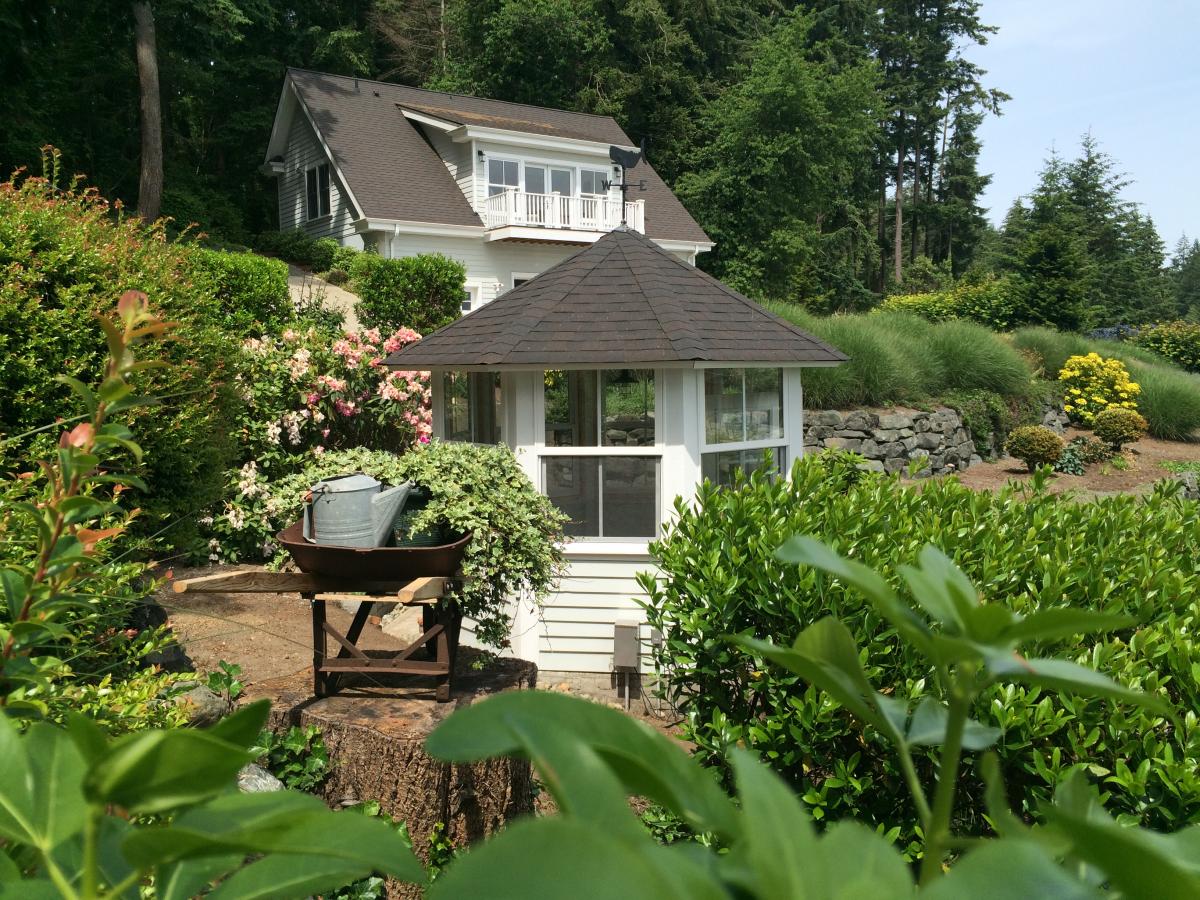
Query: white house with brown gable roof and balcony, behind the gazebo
[(507, 189)]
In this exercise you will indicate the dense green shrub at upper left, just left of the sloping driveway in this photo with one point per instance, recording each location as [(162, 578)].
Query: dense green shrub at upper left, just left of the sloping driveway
[(253, 290)]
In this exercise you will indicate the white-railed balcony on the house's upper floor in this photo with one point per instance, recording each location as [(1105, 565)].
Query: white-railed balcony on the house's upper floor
[(517, 215)]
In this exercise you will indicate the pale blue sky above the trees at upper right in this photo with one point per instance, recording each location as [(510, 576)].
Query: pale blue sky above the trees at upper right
[(1127, 70)]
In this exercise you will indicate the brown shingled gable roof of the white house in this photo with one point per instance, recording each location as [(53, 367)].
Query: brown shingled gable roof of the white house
[(382, 155)]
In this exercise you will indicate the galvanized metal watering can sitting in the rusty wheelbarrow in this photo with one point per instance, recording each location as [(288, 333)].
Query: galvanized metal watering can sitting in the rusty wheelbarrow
[(352, 512)]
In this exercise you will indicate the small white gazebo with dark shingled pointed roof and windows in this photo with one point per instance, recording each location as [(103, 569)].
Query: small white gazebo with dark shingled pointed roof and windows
[(621, 377)]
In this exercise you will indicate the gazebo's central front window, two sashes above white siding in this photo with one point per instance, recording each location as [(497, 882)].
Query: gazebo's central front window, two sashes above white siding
[(601, 465)]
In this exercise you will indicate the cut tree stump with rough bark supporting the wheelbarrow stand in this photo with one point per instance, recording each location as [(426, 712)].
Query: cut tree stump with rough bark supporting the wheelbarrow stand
[(376, 729)]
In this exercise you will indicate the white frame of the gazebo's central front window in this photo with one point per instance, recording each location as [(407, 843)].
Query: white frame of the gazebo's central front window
[(657, 451)]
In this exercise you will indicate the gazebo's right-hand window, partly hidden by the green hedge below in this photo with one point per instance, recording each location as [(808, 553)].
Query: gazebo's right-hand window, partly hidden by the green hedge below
[(743, 417)]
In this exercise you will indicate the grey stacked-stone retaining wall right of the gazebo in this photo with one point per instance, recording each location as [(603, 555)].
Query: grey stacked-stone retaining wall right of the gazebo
[(892, 440)]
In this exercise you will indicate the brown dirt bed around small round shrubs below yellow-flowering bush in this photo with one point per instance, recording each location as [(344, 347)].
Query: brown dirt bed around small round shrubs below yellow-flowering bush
[(1145, 459)]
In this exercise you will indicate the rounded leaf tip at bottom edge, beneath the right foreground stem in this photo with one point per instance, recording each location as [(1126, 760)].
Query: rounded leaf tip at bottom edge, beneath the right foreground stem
[(1009, 871)]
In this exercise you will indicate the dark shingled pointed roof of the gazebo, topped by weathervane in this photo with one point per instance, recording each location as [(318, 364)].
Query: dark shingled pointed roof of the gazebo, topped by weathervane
[(621, 302)]
